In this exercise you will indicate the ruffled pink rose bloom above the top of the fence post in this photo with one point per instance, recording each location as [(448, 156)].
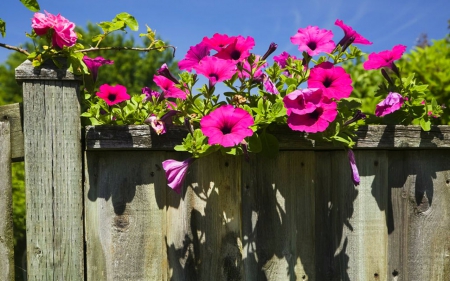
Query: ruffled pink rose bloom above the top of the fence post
[(64, 31)]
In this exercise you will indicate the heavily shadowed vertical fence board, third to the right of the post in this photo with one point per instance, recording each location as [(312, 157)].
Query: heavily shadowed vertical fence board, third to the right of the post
[(278, 210)]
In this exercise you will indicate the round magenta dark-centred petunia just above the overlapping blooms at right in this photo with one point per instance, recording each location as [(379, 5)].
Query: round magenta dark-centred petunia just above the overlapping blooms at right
[(335, 82)]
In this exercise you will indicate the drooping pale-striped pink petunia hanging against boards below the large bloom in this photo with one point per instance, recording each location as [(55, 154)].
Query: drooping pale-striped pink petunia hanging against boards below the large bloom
[(176, 172)]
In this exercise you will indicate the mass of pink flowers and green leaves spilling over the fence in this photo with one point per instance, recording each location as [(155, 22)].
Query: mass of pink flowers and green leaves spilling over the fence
[(308, 91)]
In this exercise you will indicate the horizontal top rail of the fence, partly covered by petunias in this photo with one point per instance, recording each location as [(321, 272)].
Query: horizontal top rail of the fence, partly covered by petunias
[(141, 137)]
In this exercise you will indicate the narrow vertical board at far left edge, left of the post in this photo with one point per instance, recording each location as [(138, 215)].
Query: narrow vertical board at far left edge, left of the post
[(6, 222)]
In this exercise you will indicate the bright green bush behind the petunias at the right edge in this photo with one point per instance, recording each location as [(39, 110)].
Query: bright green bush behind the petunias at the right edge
[(420, 67)]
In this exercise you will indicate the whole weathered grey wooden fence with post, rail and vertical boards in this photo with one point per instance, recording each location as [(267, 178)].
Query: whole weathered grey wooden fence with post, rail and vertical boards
[(98, 207)]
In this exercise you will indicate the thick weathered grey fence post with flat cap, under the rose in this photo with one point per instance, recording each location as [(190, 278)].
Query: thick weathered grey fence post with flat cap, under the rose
[(53, 168)]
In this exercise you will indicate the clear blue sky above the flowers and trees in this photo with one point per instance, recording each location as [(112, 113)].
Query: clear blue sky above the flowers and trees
[(184, 23)]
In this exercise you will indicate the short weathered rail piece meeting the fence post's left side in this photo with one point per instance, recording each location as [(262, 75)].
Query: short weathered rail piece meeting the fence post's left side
[(13, 113)]
